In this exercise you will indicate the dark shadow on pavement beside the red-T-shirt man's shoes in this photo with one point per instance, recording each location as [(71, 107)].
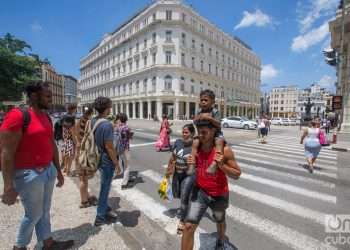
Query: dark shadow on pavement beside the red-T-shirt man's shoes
[(79, 234)]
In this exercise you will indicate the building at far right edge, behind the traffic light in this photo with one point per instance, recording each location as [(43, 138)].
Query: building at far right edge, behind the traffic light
[(340, 42)]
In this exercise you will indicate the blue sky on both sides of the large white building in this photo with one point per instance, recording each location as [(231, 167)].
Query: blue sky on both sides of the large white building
[(288, 35)]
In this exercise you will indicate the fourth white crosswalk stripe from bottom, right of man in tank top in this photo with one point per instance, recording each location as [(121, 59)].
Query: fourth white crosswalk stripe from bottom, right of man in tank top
[(287, 175)]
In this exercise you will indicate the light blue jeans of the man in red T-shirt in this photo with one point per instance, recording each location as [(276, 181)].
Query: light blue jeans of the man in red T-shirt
[(35, 190)]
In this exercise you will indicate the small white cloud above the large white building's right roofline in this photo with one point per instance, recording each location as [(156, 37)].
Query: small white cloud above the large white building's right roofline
[(257, 18)]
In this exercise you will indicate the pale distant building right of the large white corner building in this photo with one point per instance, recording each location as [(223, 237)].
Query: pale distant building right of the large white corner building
[(283, 101)]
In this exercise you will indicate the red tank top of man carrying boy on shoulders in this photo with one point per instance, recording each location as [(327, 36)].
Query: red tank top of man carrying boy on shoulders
[(211, 184)]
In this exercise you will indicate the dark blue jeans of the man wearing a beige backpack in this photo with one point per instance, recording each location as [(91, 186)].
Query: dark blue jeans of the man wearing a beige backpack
[(106, 173)]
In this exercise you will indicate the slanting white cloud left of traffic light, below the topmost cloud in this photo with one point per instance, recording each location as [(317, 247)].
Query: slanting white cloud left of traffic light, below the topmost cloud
[(314, 36)]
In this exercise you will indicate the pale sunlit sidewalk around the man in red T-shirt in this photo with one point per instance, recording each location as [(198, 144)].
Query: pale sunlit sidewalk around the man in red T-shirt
[(68, 222)]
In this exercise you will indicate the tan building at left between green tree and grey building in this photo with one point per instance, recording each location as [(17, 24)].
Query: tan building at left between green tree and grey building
[(55, 84)]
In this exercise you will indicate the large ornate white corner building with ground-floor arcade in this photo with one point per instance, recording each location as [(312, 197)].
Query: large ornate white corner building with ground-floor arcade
[(159, 60)]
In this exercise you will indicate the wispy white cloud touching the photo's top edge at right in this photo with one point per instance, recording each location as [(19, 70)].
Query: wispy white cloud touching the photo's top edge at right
[(310, 12)]
